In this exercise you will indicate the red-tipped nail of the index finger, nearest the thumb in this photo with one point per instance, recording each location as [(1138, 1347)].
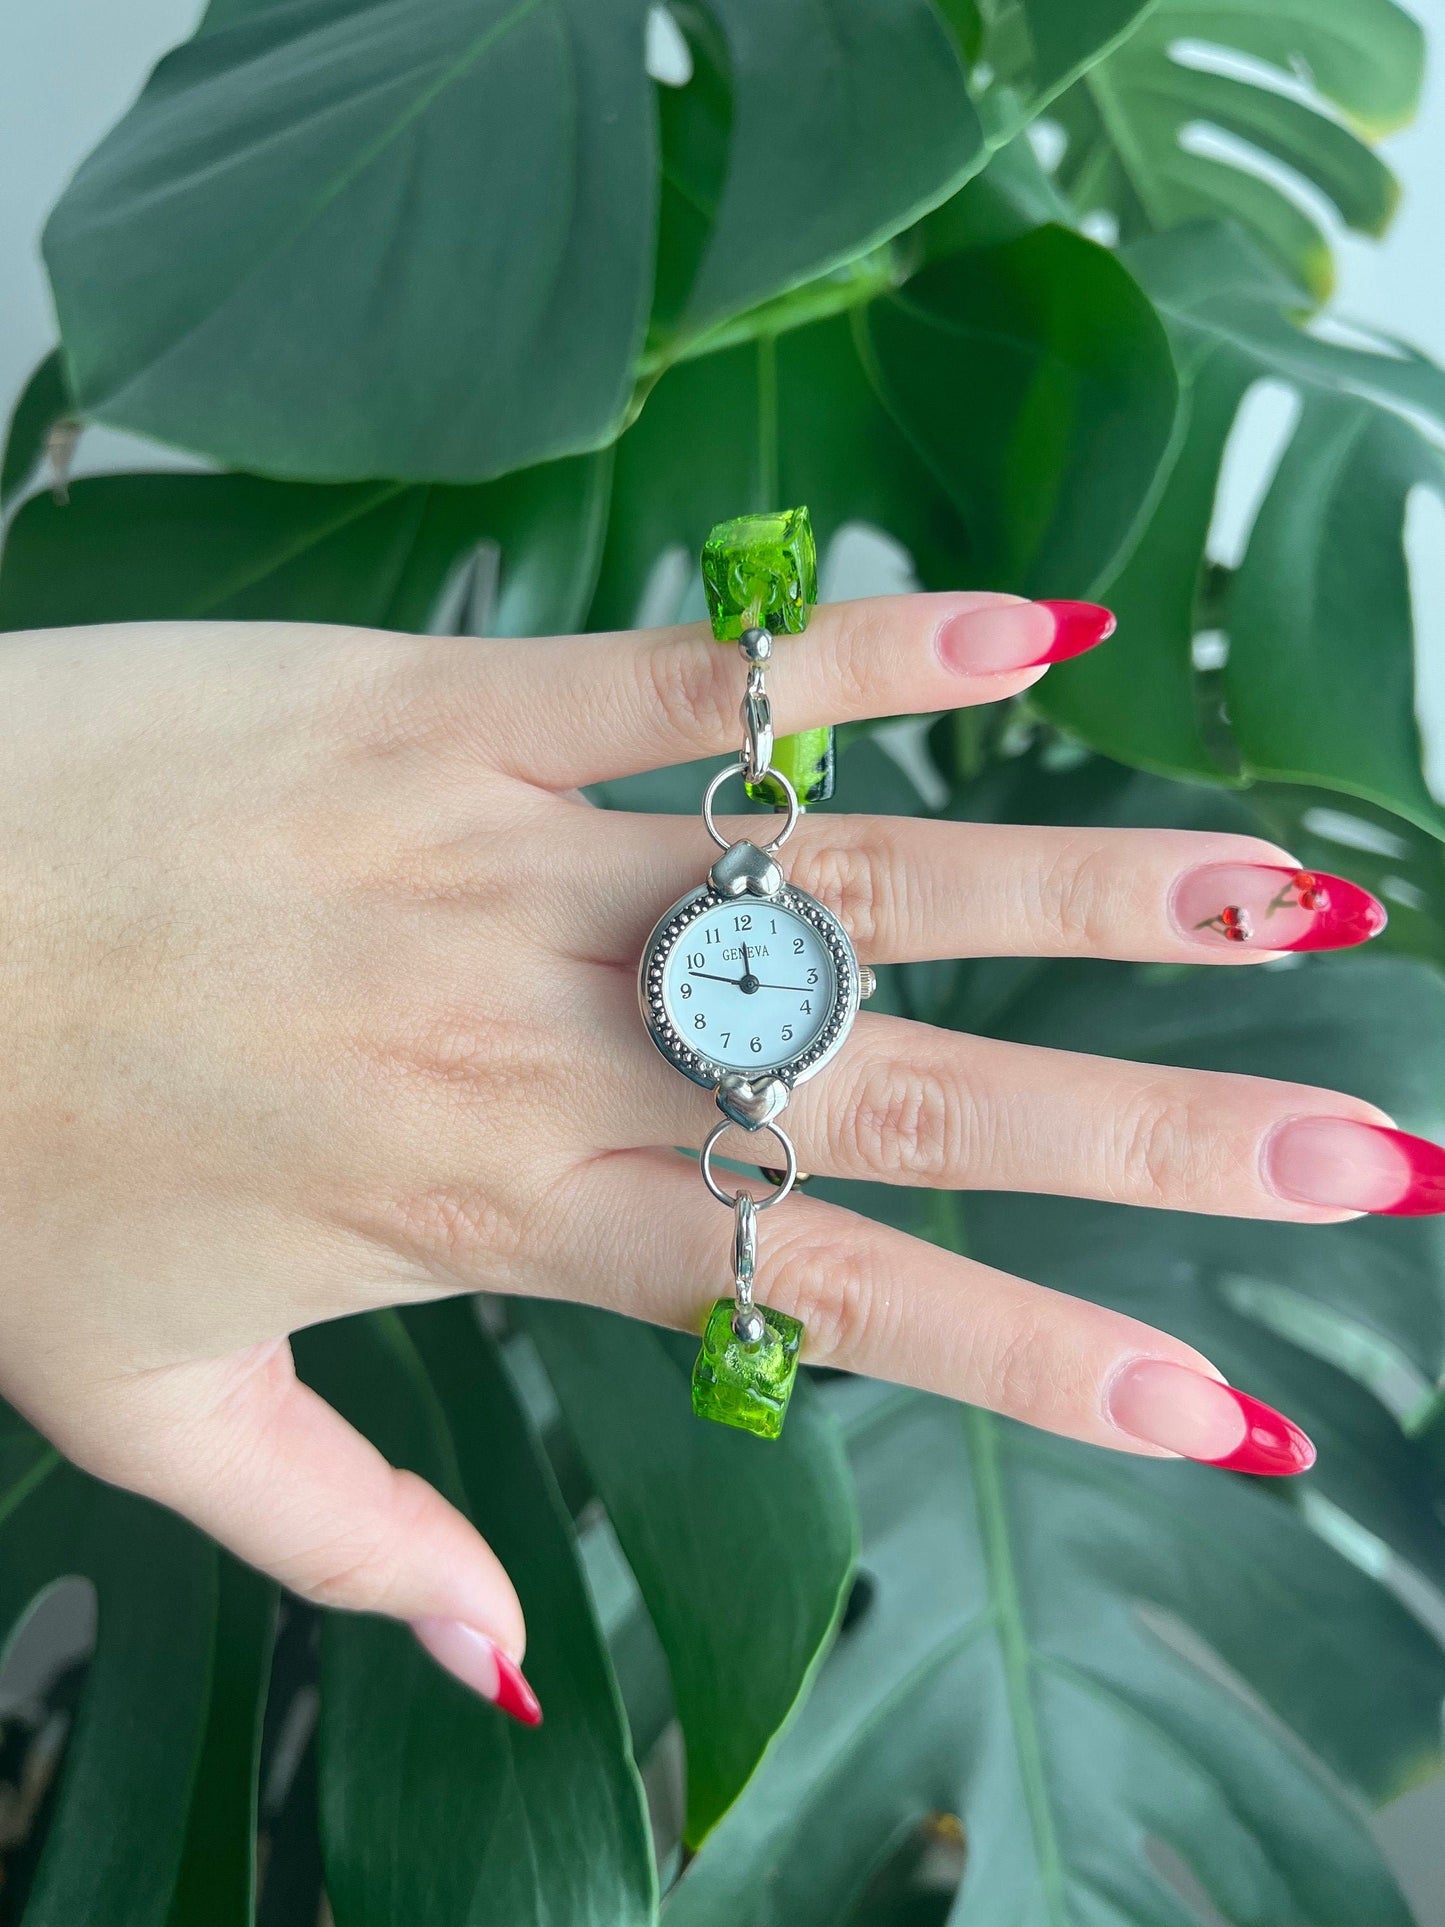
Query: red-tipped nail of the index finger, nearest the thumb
[(1203, 1419)]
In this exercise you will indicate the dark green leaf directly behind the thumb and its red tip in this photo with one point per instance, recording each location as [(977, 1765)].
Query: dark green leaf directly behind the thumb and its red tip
[(436, 1805)]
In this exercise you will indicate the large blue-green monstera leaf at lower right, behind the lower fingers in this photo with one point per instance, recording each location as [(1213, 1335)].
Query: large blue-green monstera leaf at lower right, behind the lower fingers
[(1138, 1687)]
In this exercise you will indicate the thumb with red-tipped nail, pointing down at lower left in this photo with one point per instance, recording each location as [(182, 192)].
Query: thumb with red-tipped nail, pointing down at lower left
[(265, 1465)]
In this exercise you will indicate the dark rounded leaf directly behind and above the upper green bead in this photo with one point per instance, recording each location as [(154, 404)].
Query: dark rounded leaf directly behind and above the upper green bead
[(1003, 417)]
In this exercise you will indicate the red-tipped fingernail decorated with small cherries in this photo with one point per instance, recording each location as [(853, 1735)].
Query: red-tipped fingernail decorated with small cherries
[(1273, 907)]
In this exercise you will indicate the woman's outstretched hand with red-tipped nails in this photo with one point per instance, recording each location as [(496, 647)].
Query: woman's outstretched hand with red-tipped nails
[(319, 995)]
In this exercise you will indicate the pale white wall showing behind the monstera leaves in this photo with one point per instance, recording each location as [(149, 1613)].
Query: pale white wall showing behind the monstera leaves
[(68, 68)]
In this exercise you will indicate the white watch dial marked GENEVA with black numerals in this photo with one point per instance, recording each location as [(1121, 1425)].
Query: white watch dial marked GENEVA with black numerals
[(750, 986)]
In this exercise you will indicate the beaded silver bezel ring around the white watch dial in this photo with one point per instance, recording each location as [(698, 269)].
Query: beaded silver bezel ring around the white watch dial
[(695, 1065)]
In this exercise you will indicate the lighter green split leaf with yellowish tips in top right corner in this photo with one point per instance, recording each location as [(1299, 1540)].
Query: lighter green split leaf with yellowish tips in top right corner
[(1219, 107)]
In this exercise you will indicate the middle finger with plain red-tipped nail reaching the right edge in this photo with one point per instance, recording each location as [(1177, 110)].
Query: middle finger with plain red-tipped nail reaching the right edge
[(908, 1103)]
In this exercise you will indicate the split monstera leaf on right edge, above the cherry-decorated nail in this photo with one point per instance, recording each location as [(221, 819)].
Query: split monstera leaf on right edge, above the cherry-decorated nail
[(1323, 569)]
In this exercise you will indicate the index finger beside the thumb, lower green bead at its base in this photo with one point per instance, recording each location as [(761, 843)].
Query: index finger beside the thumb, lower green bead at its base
[(880, 1302)]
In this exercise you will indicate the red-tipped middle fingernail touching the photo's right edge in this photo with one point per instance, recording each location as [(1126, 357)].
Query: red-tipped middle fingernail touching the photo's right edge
[(1355, 1167)]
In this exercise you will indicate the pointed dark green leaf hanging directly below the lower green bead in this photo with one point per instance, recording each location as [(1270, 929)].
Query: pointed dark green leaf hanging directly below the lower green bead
[(743, 1550)]
